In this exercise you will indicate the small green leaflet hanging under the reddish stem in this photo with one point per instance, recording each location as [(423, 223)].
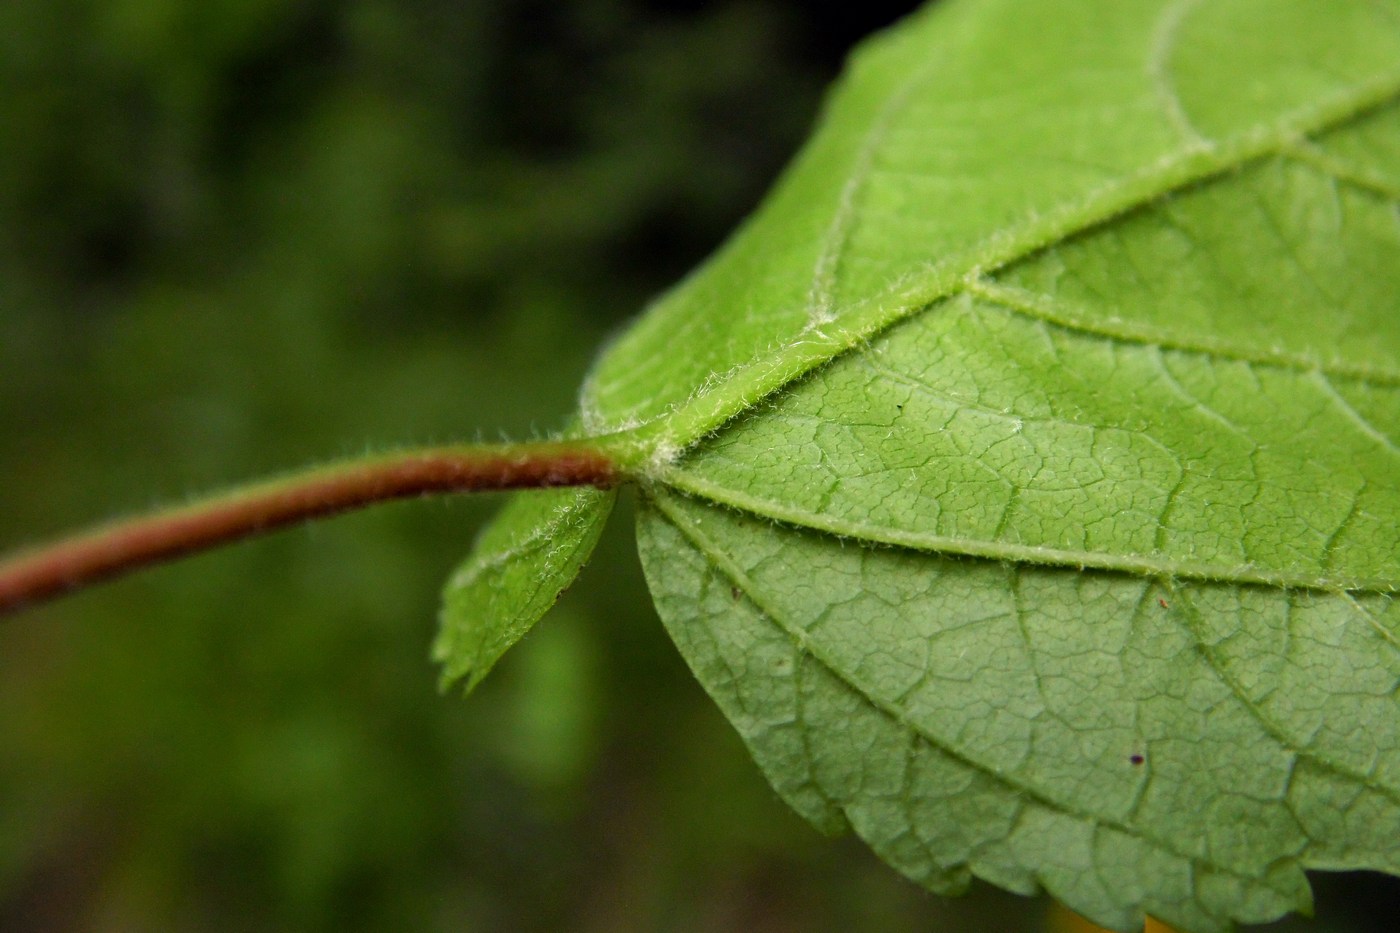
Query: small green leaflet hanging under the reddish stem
[(517, 571)]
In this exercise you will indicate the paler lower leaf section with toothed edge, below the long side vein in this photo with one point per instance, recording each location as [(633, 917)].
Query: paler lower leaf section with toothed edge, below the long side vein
[(972, 715)]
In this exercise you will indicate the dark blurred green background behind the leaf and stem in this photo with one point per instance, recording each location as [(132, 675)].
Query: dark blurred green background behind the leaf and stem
[(240, 236)]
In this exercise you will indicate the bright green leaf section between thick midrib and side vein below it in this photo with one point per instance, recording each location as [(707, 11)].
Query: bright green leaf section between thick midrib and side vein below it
[(1007, 422)]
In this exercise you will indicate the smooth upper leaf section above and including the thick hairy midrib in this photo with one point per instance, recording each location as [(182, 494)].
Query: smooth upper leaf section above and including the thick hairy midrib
[(750, 315)]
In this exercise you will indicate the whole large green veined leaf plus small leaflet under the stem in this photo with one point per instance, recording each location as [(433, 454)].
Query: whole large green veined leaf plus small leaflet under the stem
[(1024, 480)]
